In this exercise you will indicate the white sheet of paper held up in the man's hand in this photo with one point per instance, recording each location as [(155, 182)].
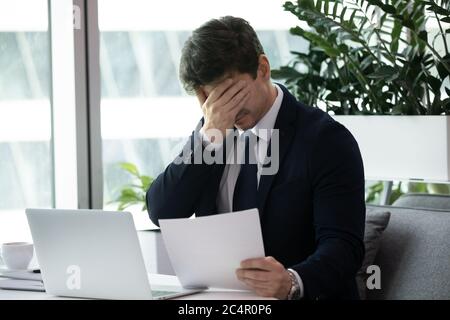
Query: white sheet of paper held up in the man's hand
[(206, 251)]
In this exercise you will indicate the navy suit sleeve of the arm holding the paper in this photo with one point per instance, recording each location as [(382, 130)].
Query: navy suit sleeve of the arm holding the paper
[(337, 176)]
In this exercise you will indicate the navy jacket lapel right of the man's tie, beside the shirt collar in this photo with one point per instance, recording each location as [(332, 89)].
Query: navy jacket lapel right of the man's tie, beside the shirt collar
[(285, 123)]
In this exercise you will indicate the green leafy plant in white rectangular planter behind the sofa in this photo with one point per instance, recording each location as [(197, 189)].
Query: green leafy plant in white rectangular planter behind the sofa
[(373, 57)]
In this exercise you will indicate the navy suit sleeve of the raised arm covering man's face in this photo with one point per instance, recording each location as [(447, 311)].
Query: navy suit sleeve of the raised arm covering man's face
[(176, 191)]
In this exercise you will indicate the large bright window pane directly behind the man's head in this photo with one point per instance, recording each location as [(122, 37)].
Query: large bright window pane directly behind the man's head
[(145, 114)]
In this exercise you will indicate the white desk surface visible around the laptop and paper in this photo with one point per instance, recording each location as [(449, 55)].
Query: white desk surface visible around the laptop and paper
[(155, 279)]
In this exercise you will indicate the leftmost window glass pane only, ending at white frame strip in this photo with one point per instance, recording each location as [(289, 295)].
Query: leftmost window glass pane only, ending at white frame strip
[(25, 112)]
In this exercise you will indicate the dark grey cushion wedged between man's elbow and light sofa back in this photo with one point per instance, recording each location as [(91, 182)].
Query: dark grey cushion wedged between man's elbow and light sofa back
[(376, 221)]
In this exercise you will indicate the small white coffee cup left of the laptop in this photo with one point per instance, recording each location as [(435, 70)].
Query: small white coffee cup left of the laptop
[(17, 255)]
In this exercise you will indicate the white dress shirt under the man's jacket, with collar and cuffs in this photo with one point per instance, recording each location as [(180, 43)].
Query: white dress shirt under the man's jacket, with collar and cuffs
[(231, 171)]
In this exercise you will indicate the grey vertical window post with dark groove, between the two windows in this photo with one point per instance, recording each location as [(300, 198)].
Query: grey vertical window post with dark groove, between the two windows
[(87, 93)]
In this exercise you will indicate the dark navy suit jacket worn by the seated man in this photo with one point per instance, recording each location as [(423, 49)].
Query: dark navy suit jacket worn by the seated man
[(312, 211)]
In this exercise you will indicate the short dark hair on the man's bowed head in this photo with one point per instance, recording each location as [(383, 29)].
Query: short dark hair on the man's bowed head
[(219, 46)]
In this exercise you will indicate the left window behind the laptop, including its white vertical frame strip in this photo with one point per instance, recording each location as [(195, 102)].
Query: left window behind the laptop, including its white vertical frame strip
[(38, 149)]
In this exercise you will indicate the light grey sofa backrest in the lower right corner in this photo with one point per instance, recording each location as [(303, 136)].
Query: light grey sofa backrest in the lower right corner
[(414, 255)]
